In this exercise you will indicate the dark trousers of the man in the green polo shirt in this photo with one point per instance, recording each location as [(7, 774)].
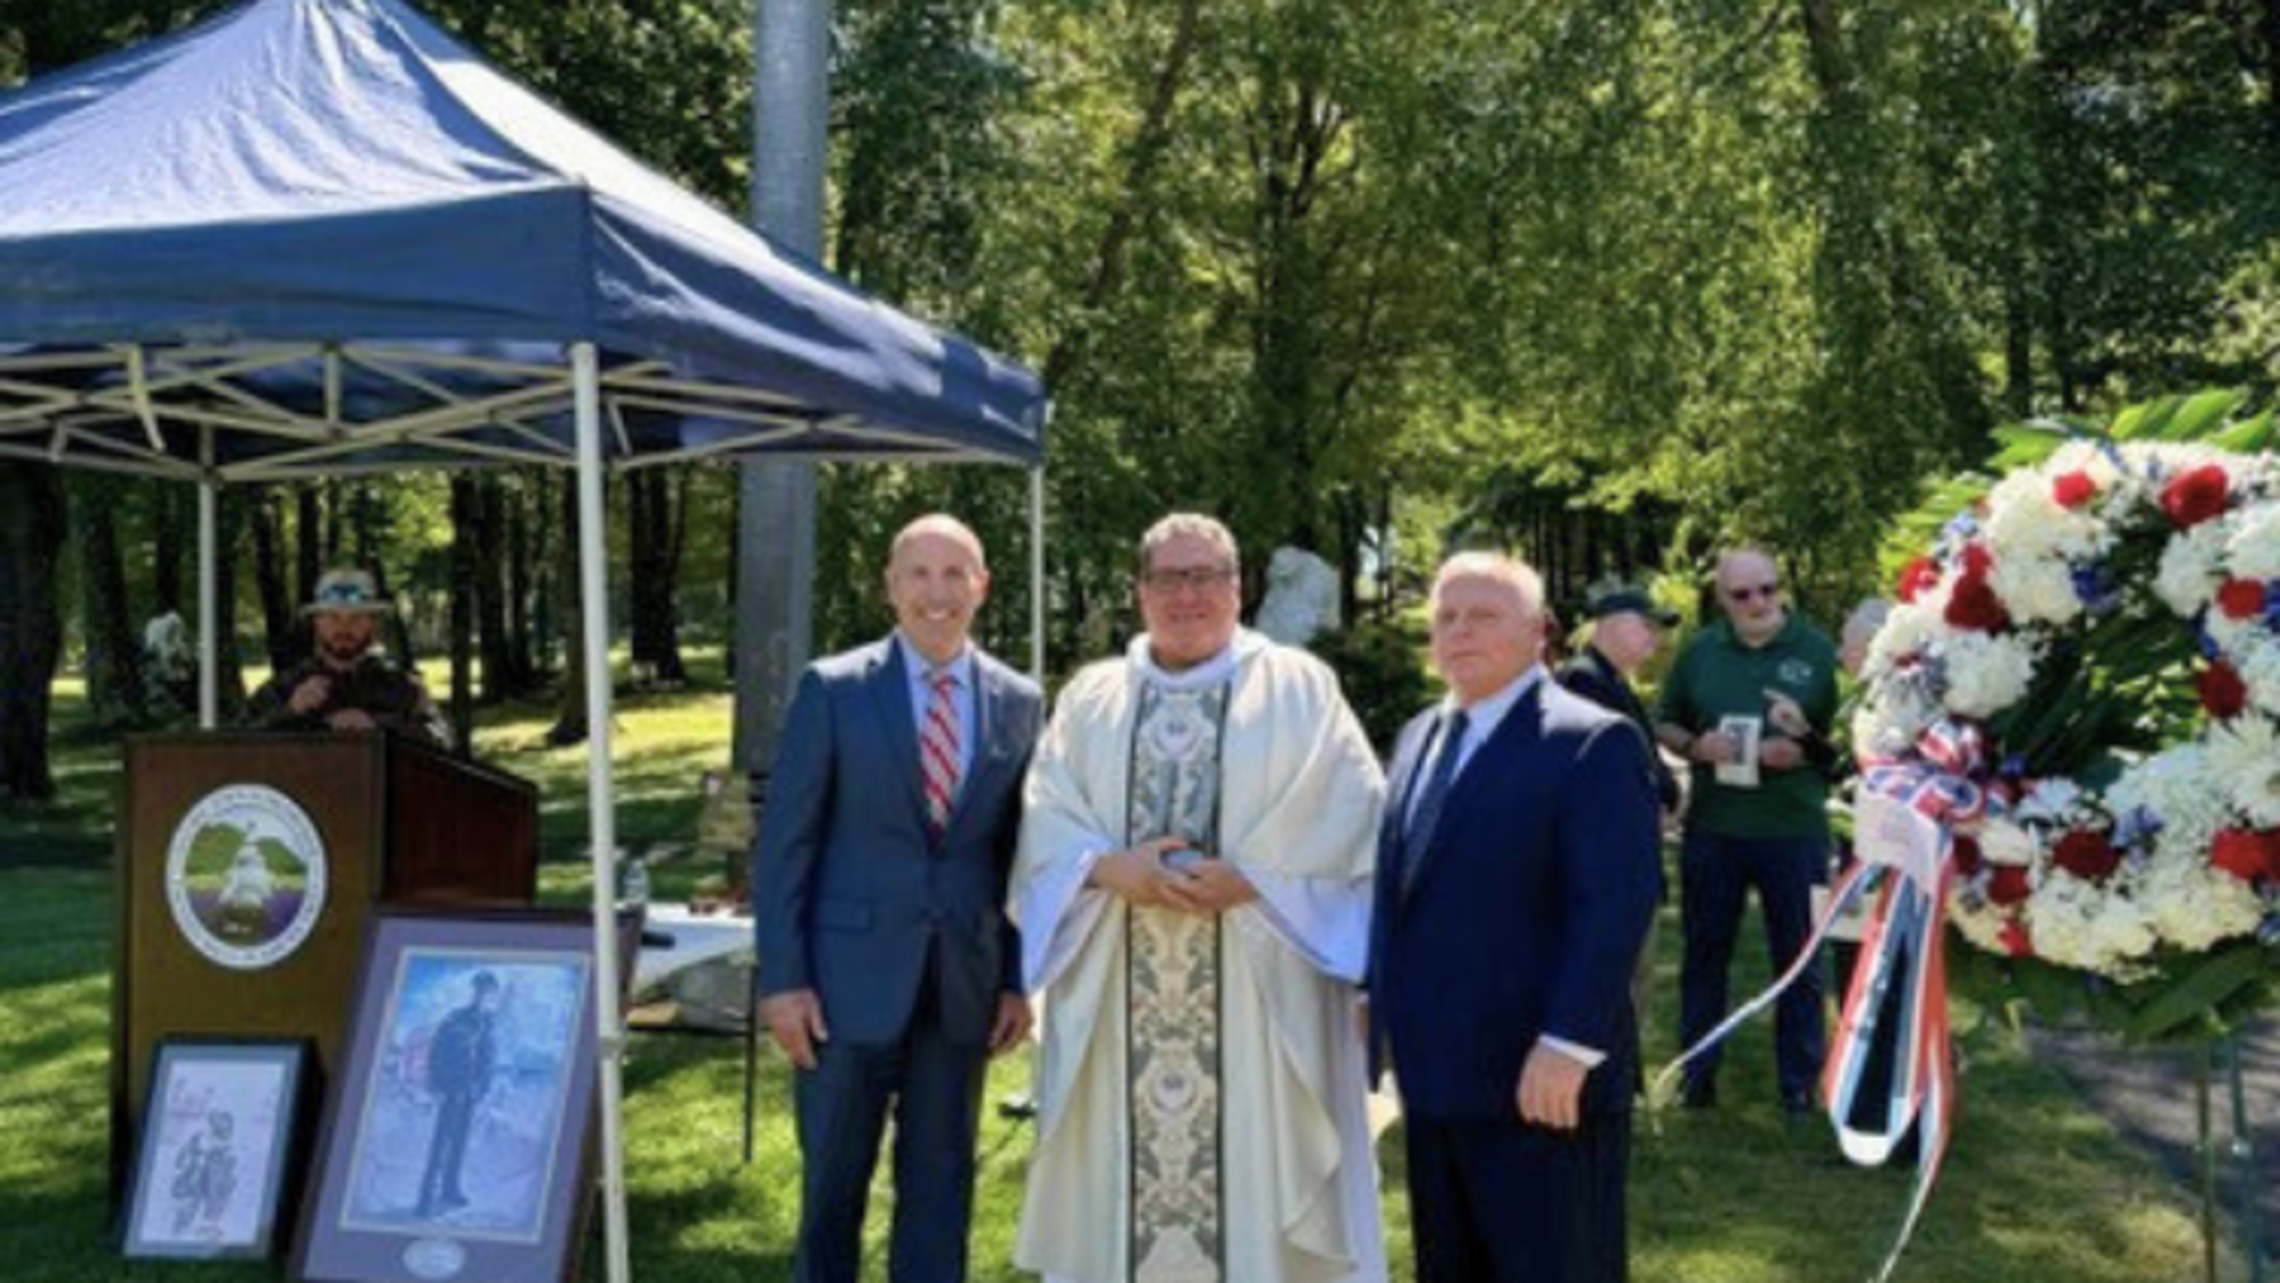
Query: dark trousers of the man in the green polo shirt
[(1716, 876)]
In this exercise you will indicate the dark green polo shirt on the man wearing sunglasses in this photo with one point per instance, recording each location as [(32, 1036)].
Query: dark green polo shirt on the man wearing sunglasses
[(1716, 678)]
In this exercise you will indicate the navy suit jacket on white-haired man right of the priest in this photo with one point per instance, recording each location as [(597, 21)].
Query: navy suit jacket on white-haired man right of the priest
[(1526, 913)]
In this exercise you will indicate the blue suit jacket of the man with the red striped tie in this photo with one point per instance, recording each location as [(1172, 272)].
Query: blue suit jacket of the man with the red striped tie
[(849, 892)]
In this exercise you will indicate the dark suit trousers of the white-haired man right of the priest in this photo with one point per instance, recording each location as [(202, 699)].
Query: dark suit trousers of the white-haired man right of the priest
[(1504, 1202)]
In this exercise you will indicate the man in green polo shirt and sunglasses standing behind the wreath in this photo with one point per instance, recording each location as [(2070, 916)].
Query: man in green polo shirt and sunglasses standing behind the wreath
[(1757, 815)]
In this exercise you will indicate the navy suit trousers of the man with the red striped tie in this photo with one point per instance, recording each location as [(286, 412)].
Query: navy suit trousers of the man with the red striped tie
[(934, 1088)]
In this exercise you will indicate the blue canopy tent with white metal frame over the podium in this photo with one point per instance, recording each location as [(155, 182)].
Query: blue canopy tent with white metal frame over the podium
[(318, 238)]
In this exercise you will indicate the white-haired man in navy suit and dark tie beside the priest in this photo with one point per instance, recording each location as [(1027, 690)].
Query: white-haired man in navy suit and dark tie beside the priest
[(1515, 881)]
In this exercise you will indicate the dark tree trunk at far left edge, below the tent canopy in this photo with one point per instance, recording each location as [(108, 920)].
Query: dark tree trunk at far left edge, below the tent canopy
[(31, 630)]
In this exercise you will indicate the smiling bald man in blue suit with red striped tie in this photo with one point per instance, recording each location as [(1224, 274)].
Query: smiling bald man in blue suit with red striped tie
[(888, 967)]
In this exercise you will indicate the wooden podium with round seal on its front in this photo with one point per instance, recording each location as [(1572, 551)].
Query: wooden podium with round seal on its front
[(250, 863)]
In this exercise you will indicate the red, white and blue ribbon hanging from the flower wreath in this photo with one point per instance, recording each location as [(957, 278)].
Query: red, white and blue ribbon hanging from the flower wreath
[(1905, 844)]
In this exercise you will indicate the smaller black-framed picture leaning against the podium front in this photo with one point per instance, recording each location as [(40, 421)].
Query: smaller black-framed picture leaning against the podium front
[(220, 1150)]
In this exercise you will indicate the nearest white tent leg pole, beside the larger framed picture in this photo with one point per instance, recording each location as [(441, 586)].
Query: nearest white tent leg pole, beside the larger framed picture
[(594, 589)]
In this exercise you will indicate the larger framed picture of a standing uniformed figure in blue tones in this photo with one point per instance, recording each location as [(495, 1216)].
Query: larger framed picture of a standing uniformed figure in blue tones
[(459, 1131)]
